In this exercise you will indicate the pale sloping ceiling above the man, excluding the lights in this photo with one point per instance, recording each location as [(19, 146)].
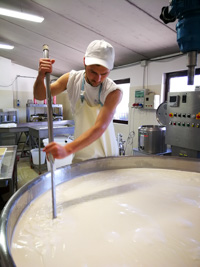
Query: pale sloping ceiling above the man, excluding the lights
[(133, 27)]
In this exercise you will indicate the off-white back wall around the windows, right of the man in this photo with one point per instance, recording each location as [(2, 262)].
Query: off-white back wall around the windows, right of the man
[(153, 80)]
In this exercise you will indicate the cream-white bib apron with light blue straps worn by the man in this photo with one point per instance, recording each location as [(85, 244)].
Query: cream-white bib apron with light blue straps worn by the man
[(84, 117)]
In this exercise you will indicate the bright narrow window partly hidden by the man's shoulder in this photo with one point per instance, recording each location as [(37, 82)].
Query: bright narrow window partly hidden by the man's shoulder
[(122, 110)]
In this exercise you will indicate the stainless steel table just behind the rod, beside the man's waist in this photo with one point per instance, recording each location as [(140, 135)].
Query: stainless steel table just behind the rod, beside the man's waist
[(41, 132)]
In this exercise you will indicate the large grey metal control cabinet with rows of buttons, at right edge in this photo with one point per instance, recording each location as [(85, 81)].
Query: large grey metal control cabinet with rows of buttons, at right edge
[(183, 120)]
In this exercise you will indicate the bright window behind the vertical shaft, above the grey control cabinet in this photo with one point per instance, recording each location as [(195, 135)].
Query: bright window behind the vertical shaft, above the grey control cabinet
[(177, 82)]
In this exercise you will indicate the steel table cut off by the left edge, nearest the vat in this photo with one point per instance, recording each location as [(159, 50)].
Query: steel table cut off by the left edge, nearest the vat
[(8, 175)]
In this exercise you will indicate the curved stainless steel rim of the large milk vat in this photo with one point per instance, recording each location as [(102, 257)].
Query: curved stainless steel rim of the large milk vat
[(21, 199)]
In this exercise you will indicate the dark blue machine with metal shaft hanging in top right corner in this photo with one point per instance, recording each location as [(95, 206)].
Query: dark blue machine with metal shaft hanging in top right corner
[(188, 29)]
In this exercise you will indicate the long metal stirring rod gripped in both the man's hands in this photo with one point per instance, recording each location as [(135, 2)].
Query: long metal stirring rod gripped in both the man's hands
[(50, 131)]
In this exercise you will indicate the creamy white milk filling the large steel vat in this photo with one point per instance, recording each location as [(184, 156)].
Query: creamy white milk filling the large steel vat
[(130, 217)]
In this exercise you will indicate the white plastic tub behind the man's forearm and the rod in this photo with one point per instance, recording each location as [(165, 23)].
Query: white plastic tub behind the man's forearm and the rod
[(62, 140)]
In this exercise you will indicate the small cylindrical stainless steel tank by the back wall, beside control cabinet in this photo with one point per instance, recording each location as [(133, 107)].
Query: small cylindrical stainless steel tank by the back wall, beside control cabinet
[(151, 139)]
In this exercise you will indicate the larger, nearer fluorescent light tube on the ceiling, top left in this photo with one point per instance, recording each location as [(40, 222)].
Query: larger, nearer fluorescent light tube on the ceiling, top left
[(20, 15)]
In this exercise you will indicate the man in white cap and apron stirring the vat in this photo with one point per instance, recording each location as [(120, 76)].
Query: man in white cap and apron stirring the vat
[(93, 98)]
